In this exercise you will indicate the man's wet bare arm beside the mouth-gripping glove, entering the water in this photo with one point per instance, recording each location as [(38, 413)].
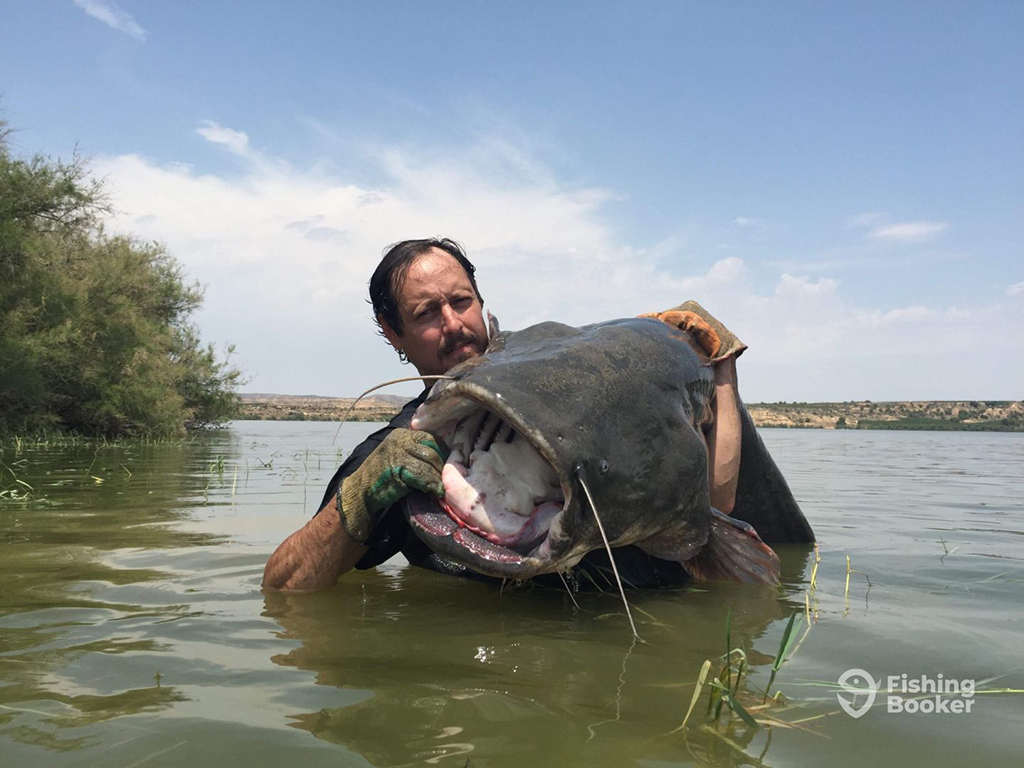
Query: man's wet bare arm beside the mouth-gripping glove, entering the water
[(315, 557)]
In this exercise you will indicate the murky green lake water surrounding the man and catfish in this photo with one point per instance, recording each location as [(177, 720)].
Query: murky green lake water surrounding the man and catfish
[(134, 630)]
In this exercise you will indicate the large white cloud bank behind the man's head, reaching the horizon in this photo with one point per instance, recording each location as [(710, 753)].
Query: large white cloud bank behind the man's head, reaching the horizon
[(286, 254)]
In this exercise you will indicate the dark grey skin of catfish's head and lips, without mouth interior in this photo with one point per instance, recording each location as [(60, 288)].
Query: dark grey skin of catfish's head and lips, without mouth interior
[(620, 403)]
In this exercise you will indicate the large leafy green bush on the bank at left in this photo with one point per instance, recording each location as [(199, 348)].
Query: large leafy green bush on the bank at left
[(96, 336)]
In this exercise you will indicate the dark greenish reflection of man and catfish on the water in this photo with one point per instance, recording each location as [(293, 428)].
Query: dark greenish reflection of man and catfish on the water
[(524, 673)]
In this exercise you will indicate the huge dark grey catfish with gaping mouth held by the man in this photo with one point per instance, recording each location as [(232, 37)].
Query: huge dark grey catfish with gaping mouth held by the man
[(617, 407)]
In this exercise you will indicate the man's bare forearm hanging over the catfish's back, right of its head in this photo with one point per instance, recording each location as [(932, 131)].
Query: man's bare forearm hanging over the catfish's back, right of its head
[(726, 438)]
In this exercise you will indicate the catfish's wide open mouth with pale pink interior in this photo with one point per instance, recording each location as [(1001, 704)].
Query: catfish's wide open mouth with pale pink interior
[(503, 499)]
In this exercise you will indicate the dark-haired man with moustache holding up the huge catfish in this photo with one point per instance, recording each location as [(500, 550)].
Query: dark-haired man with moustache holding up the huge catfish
[(428, 306)]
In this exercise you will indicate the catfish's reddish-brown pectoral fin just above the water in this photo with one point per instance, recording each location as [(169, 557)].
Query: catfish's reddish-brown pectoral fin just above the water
[(735, 552)]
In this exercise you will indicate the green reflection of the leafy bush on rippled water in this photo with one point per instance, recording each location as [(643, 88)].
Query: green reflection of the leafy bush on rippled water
[(74, 619)]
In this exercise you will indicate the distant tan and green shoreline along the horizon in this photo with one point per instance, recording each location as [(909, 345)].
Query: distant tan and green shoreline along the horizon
[(946, 416)]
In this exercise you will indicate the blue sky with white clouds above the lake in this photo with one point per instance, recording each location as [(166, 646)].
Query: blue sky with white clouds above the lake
[(842, 186)]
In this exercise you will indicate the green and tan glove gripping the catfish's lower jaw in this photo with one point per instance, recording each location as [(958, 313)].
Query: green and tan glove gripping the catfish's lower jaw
[(407, 460)]
